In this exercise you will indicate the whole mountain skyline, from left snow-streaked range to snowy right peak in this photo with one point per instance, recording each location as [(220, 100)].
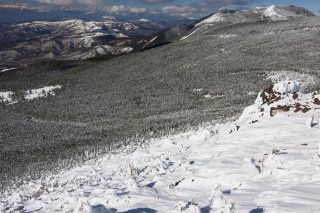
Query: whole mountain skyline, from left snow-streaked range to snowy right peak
[(32, 42)]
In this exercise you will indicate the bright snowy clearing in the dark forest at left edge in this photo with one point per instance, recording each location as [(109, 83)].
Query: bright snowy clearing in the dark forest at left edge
[(9, 96)]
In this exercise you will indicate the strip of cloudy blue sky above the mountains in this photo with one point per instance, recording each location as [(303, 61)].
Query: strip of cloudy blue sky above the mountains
[(160, 8)]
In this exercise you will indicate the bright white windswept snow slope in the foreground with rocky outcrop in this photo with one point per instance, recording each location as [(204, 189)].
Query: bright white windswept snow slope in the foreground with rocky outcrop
[(262, 162)]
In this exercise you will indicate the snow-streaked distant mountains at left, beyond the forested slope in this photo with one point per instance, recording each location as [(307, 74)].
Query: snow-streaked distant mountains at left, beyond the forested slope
[(27, 43)]
